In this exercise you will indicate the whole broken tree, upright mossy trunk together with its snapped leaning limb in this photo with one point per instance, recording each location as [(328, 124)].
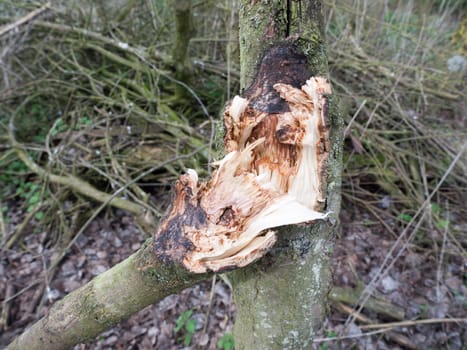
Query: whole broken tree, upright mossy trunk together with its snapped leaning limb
[(282, 168)]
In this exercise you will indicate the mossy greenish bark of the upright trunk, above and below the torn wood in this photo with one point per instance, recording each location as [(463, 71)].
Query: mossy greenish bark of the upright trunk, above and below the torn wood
[(281, 301)]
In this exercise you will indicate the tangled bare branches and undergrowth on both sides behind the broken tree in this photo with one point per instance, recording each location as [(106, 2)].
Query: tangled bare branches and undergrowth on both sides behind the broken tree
[(92, 113)]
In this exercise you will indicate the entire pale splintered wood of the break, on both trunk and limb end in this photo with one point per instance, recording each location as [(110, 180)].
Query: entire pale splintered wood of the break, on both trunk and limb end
[(272, 176)]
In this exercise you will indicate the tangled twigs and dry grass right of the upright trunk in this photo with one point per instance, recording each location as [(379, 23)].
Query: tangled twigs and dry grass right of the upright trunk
[(404, 107)]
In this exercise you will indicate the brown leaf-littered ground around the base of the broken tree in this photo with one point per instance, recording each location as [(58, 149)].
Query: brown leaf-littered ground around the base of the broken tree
[(417, 284)]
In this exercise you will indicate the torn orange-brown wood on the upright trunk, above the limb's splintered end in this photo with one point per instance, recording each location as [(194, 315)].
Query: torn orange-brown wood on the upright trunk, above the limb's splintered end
[(296, 141)]
